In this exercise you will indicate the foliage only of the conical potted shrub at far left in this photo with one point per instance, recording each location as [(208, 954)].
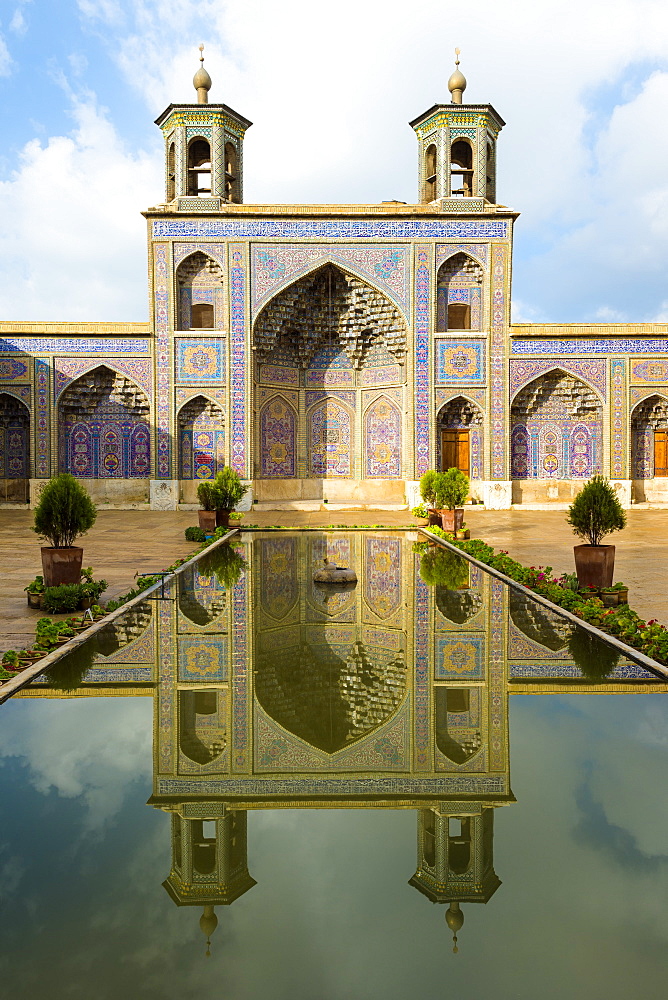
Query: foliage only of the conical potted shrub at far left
[(64, 511)]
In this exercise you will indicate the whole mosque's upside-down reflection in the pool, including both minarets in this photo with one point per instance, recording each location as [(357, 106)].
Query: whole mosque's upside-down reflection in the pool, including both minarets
[(393, 694)]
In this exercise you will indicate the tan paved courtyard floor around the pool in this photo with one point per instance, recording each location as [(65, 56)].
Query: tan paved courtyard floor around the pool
[(124, 542)]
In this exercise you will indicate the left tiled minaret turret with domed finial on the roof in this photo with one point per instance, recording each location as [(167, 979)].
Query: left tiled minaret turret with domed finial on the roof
[(203, 151)]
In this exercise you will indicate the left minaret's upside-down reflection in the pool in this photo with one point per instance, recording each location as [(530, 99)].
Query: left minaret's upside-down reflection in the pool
[(209, 859)]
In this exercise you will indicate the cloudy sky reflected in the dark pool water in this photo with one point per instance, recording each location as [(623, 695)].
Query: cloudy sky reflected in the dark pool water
[(583, 857)]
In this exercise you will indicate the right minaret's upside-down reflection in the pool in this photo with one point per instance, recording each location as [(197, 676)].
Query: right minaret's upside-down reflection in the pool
[(455, 857)]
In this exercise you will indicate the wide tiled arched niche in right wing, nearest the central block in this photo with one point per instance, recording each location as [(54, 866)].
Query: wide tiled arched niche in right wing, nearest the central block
[(556, 430)]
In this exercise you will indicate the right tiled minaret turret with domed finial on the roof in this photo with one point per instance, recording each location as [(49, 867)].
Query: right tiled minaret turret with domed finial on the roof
[(457, 150)]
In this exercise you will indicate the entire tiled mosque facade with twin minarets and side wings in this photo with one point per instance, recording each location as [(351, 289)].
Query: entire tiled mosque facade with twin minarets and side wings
[(332, 353)]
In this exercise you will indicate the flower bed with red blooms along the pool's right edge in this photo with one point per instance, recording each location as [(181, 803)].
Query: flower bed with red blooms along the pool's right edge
[(649, 637)]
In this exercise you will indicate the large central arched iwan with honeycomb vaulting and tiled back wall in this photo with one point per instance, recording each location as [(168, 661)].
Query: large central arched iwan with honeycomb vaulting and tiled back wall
[(316, 344)]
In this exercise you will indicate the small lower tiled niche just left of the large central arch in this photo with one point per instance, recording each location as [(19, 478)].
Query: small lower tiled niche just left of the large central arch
[(201, 438)]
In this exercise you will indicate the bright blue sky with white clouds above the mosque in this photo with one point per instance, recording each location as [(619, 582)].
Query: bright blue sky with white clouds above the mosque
[(582, 85)]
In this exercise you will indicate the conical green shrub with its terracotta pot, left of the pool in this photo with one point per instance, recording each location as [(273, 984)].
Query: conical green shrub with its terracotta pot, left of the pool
[(64, 511)]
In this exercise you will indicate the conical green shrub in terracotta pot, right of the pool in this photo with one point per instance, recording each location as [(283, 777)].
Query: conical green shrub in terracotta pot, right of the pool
[(595, 513)]
